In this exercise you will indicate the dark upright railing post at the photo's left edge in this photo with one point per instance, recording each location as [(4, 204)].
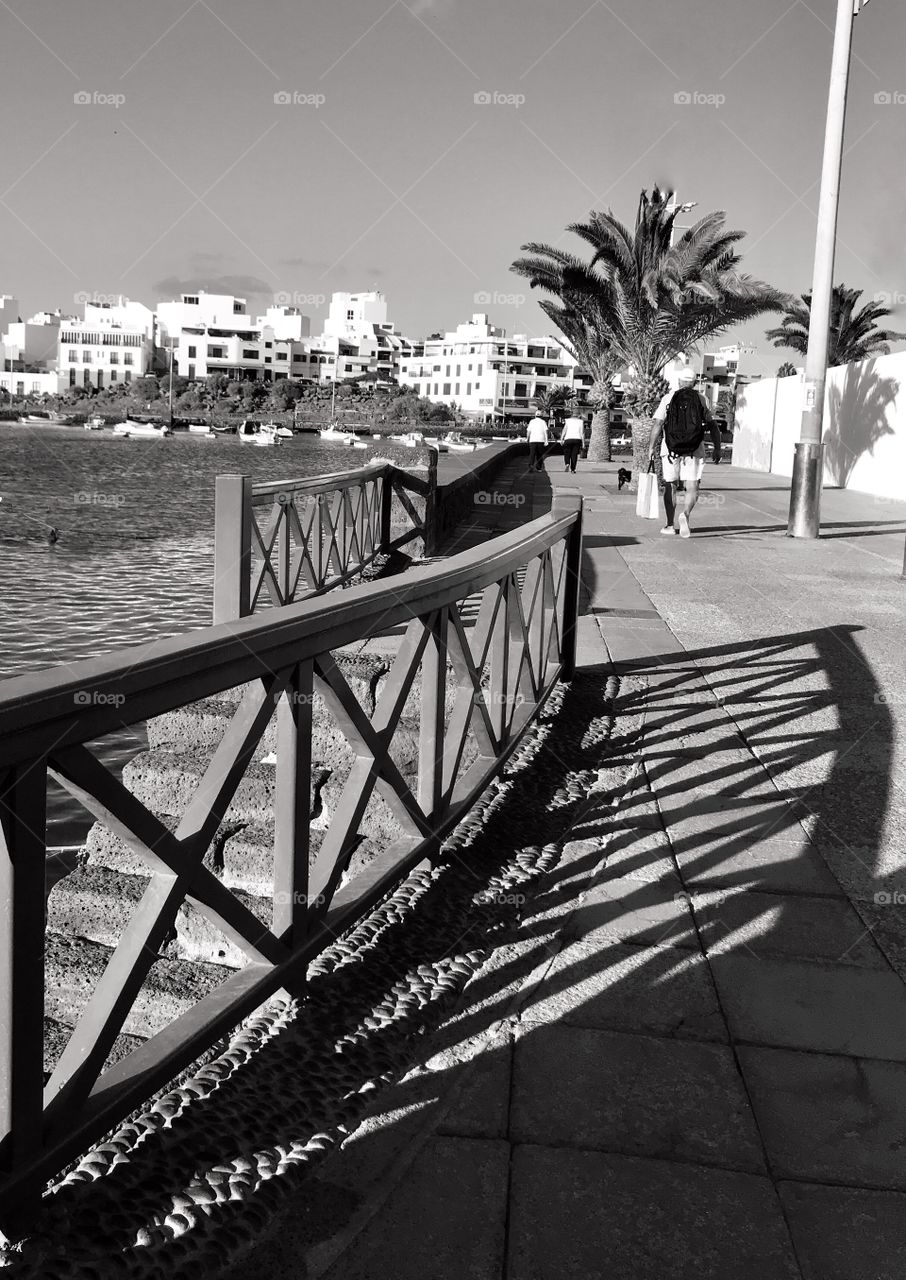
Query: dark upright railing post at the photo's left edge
[(22, 893)]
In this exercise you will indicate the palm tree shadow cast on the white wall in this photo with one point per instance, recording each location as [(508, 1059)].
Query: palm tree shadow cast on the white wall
[(859, 417)]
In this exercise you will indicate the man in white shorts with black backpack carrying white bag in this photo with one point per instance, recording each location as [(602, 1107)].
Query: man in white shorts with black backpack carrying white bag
[(680, 436)]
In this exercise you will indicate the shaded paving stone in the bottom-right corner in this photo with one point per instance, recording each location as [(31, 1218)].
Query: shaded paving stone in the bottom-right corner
[(846, 1233)]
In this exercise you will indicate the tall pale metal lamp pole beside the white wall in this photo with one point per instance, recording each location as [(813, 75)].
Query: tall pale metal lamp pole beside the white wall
[(806, 496)]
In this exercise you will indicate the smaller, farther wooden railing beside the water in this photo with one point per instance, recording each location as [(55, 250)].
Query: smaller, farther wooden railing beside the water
[(289, 541)]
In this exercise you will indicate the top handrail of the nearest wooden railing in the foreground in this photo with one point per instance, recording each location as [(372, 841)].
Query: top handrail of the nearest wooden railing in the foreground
[(49, 710)]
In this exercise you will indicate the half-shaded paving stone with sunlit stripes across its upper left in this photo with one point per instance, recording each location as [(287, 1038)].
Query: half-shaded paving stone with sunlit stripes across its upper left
[(657, 990)]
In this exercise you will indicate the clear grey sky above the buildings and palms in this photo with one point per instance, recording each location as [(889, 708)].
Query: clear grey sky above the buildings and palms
[(285, 150)]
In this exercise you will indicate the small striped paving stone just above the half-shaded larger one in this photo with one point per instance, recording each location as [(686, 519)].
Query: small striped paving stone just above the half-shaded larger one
[(632, 911)]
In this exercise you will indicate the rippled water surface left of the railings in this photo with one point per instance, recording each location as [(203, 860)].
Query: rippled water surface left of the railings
[(135, 560)]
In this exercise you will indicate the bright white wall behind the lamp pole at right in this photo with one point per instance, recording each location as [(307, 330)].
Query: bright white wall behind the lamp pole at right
[(864, 426)]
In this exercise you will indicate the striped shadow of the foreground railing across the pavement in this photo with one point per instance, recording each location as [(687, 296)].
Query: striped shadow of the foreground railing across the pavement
[(804, 702)]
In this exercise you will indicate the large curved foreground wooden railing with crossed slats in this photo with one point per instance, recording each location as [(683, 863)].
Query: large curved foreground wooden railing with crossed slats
[(474, 679)]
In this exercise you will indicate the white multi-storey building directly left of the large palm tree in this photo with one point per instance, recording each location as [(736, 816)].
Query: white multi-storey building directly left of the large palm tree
[(487, 374)]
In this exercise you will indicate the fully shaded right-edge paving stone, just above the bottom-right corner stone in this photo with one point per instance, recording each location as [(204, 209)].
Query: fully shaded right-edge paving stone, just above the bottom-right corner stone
[(826, 1118)]
